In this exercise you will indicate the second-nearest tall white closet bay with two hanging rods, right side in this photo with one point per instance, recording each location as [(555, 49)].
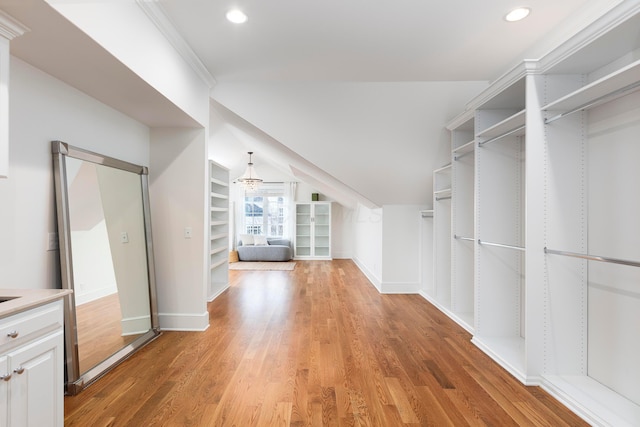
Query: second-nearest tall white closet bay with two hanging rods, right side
[(500, 315)]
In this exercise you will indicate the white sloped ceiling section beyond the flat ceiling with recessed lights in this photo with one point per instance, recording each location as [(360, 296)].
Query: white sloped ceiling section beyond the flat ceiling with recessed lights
[(381, 140)]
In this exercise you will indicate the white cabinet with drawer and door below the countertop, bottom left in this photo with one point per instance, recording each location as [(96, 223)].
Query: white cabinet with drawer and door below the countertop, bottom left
[(31, 367)]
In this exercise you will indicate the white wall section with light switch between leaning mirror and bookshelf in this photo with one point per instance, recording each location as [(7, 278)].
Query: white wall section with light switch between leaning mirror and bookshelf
[(178, 195)]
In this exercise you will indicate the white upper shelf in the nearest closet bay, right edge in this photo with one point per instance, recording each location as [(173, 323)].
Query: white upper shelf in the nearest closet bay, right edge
[(614, 85)]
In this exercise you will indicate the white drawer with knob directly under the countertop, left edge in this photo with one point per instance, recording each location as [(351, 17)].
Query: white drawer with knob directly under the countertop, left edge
[(32, 322)]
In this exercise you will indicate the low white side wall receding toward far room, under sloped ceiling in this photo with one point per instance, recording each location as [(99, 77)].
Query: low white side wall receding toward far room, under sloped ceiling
[(367, 253)]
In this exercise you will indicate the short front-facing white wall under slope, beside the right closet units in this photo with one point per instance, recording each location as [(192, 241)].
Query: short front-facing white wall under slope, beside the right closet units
[(401, 241)]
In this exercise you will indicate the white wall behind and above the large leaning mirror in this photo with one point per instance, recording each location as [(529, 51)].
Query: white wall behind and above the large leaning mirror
[(43, 109)]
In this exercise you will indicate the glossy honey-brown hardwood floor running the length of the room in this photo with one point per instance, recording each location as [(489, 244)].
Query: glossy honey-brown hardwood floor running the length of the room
[(317, 346)]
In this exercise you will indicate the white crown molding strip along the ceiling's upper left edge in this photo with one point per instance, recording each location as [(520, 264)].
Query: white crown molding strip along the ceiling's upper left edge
[(158, 16)]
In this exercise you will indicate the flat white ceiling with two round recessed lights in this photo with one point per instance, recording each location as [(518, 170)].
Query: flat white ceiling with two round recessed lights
[(359, 40)]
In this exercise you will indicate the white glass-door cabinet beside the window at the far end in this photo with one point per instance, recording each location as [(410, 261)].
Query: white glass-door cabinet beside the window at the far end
[(313, 231)]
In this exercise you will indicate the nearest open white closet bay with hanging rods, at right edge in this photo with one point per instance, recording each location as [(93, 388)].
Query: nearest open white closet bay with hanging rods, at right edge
[(591, 114)]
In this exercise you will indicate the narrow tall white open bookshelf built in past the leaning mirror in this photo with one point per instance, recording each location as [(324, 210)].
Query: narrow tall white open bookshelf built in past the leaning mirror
[(218, 227)]
